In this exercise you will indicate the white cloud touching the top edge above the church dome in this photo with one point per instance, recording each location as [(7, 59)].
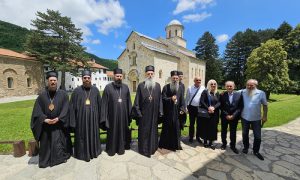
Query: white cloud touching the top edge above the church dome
[(186, 5)]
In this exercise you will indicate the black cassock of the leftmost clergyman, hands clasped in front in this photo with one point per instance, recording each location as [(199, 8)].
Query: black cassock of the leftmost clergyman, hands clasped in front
[(54, 140)]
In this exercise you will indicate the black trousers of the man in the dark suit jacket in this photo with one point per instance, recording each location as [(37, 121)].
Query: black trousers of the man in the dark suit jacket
[(232, 128)]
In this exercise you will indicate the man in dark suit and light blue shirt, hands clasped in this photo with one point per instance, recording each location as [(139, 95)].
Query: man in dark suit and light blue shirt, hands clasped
[(231, 107)]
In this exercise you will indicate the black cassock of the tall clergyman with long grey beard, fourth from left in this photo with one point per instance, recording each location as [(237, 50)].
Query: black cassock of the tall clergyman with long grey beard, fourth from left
[(146, 112)]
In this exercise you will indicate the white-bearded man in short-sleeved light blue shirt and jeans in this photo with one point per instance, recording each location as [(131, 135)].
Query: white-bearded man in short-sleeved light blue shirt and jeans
[(251, 115)]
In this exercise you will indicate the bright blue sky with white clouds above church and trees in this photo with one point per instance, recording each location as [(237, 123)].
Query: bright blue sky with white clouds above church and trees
[(107, 24)]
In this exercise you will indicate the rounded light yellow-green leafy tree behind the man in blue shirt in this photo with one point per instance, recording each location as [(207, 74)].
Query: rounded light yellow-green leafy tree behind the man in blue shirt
[(268, 64)]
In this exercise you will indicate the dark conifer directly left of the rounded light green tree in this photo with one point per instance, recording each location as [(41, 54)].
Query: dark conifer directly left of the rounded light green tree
[(237, 51)]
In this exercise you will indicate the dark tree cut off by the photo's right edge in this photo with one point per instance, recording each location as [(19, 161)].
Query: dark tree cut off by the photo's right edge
[(292, 45)]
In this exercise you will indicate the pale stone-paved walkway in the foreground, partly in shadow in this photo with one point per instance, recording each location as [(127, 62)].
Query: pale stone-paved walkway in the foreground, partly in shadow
[(280, 147)]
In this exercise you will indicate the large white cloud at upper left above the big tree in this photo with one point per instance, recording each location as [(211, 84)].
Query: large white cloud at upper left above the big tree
[(105, 14)]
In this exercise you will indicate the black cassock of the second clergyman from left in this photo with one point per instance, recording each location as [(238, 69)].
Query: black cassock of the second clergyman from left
[(85, 119)]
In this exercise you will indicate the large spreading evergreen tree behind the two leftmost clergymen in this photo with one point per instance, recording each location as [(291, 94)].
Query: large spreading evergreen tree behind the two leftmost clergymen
[(55, 41)]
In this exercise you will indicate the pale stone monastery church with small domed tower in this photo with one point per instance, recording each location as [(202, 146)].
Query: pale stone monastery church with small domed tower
[(164, 54)]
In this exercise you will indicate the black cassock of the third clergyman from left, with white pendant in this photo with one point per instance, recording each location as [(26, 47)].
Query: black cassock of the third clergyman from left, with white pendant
[(115, 111)]
